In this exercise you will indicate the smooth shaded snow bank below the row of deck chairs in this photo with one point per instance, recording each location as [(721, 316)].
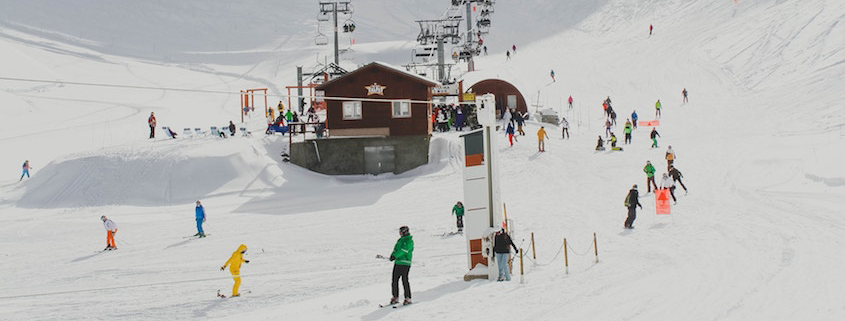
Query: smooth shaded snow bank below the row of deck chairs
[(166, 173)]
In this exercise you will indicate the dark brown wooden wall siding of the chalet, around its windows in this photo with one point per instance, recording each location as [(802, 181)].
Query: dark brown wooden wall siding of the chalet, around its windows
[(379, 114)]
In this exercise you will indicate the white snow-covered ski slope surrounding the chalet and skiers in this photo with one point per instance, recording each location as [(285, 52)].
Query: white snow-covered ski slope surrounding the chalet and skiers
[(760, 144)]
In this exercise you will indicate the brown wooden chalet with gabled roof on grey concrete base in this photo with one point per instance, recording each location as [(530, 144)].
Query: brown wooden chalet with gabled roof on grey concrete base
[(367, 136)]
